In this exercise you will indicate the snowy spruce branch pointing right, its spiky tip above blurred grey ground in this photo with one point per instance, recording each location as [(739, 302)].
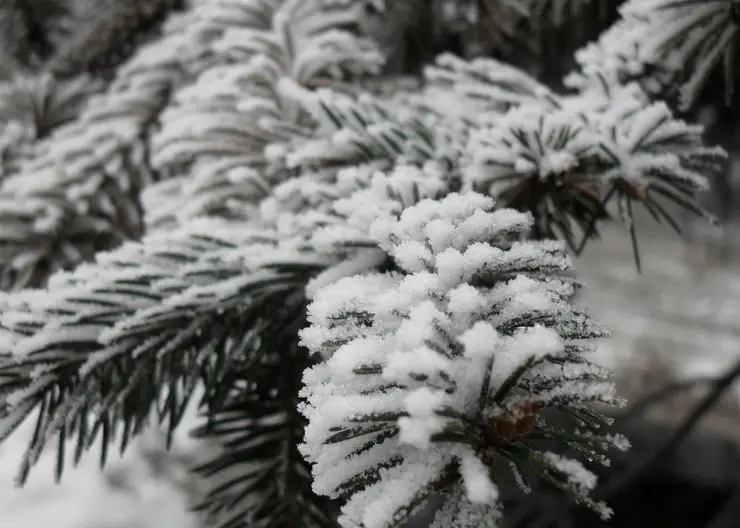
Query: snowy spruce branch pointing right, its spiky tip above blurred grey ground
[(569, 160)]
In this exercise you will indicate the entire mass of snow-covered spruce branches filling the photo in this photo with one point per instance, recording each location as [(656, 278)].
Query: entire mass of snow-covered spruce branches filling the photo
[(371, 280)]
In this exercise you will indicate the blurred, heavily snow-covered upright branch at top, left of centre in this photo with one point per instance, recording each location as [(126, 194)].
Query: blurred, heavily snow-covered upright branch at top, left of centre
[(216, 134)]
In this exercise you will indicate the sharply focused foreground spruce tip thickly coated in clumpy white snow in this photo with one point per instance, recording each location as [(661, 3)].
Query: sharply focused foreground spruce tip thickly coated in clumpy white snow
[(425, 366)]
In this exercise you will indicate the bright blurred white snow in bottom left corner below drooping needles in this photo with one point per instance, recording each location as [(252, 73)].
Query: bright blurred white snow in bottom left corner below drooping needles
[(131, 493)]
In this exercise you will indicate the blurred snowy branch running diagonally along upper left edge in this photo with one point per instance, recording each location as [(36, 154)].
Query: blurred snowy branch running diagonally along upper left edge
[(79, 193)]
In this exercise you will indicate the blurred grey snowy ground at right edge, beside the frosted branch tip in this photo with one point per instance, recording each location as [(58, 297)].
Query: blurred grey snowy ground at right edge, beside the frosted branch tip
[(681, 316)]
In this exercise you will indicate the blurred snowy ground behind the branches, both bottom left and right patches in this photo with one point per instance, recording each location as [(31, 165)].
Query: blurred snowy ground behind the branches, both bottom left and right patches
[(680, 318)]
